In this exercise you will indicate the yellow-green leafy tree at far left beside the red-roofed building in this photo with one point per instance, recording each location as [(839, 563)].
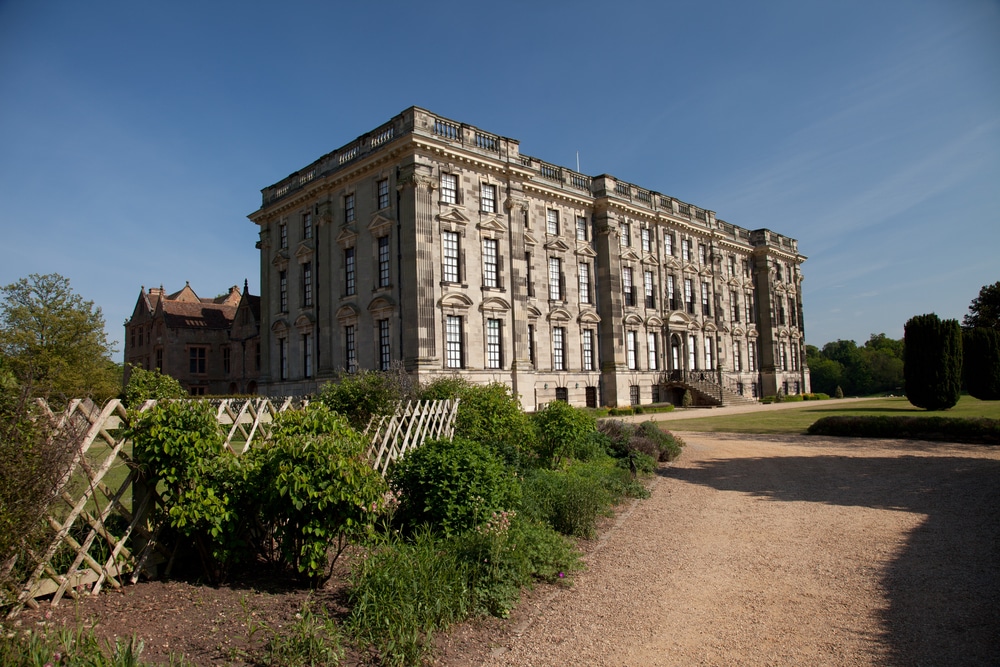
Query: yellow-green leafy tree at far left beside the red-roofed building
[(54, 341)]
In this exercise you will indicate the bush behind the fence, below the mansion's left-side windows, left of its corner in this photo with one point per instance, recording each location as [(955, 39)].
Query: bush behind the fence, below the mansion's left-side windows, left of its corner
[(365, 394)]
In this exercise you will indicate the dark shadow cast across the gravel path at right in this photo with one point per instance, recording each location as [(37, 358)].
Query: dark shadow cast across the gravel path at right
[(944, 589)]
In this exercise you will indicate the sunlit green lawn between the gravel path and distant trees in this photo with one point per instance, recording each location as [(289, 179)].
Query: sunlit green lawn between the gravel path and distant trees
[(798, 419)]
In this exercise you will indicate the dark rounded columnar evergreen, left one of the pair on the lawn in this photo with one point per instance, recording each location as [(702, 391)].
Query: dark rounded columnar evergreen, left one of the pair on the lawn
[(932, 362)]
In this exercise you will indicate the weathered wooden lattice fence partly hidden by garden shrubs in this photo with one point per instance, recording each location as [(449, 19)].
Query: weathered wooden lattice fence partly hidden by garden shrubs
[(99, 539)]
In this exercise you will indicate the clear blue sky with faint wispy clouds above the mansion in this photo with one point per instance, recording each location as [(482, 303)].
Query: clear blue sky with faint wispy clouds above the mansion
[(135, 137)]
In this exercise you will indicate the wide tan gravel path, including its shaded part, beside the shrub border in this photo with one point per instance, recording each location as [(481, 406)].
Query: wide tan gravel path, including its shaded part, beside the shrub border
[(787, 550)]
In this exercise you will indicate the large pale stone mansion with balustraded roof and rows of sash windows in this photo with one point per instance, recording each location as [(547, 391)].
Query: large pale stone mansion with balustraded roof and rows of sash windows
[(441, 246)]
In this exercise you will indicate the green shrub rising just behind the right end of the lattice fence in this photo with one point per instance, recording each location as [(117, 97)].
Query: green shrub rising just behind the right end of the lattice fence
[(488, 414)]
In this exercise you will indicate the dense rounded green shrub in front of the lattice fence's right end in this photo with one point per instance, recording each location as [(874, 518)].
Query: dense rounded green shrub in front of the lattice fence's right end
[(452, 485)]
